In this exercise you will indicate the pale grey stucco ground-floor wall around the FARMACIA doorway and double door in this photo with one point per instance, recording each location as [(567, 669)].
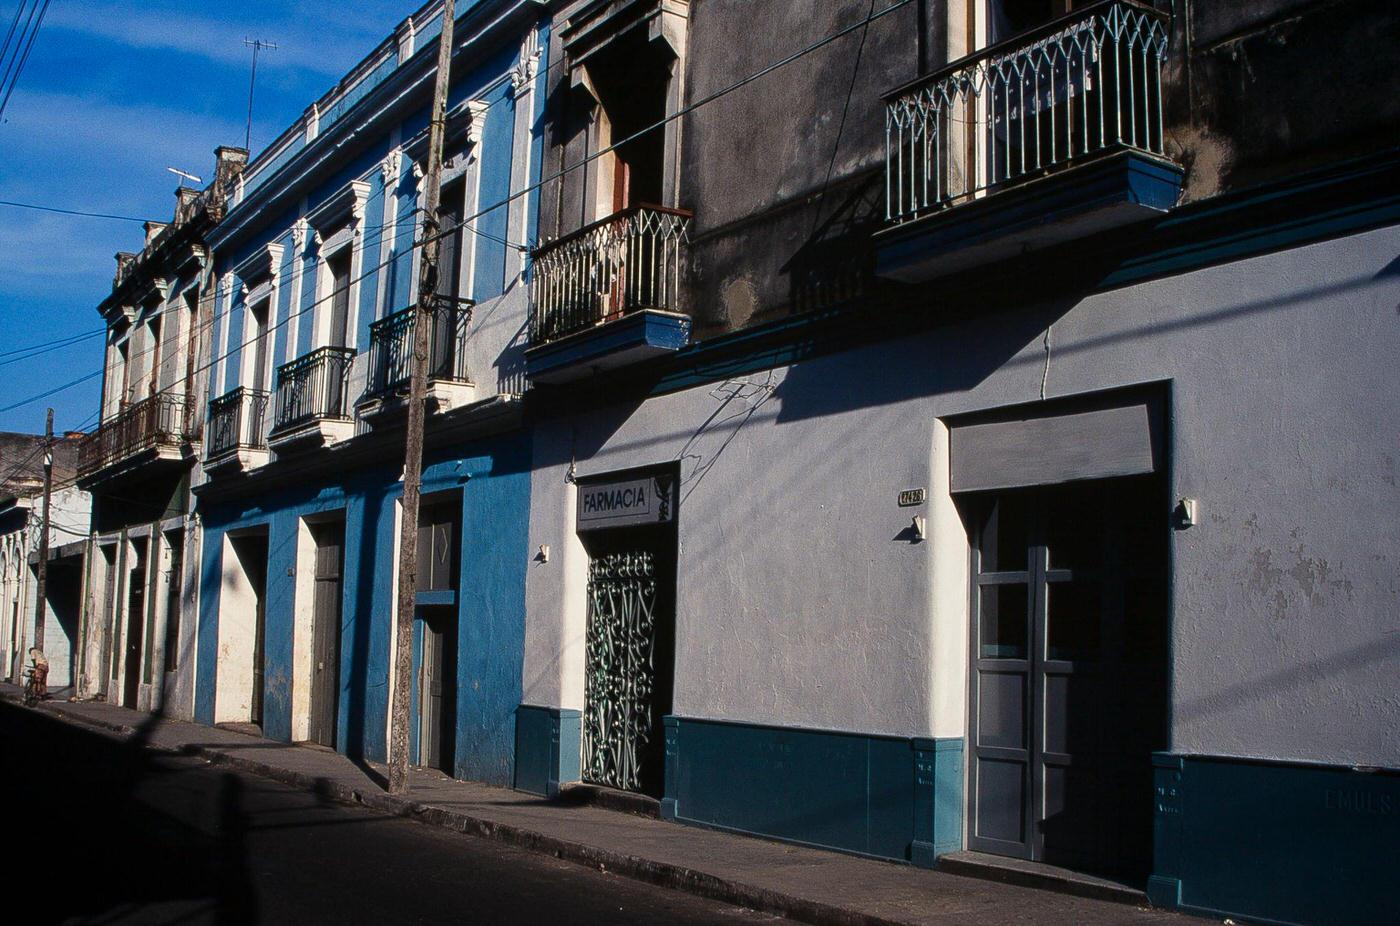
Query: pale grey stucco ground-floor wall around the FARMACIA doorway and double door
[(803, 604)]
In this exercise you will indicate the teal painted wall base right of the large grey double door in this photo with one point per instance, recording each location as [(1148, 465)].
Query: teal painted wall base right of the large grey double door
[(1276, 843)]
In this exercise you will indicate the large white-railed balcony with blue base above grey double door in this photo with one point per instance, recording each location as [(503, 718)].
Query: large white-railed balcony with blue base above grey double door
[(1049, 138)]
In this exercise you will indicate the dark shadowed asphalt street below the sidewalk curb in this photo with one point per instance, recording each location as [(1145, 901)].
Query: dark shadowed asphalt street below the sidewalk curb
[(122, 836)]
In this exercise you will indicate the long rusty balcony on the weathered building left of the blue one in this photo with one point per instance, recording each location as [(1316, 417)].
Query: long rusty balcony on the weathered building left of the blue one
[(156, 431)]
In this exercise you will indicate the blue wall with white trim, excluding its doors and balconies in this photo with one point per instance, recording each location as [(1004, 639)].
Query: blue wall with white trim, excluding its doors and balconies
[(359, 172)]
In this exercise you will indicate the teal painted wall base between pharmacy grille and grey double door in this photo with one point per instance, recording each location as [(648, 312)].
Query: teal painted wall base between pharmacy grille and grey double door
[(897, 799)]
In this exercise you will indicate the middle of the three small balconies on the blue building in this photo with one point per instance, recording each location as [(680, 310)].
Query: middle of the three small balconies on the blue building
[(311, 408)]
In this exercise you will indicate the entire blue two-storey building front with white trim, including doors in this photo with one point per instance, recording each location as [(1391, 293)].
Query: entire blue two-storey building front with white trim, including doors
[(317, 274)]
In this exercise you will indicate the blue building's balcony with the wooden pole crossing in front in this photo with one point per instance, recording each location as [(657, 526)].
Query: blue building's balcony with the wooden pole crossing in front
[(391, 362)]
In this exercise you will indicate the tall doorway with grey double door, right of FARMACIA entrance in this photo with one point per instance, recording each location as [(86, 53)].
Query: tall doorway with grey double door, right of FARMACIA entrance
[(1069, 673)]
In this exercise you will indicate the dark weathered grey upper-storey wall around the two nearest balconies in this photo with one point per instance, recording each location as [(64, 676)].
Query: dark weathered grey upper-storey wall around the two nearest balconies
[(786, 173)]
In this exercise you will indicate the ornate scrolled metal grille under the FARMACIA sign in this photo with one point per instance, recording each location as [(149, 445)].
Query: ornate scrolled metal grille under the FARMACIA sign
[(621, 668)]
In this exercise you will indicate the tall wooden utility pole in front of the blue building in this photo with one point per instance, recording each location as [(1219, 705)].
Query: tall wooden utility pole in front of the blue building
[(414, 445)]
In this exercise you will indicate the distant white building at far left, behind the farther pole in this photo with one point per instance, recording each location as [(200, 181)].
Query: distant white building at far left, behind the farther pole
[(22, 522)]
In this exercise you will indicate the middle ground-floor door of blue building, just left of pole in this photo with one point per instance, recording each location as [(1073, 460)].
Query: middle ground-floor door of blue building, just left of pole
[(327, 599)]
